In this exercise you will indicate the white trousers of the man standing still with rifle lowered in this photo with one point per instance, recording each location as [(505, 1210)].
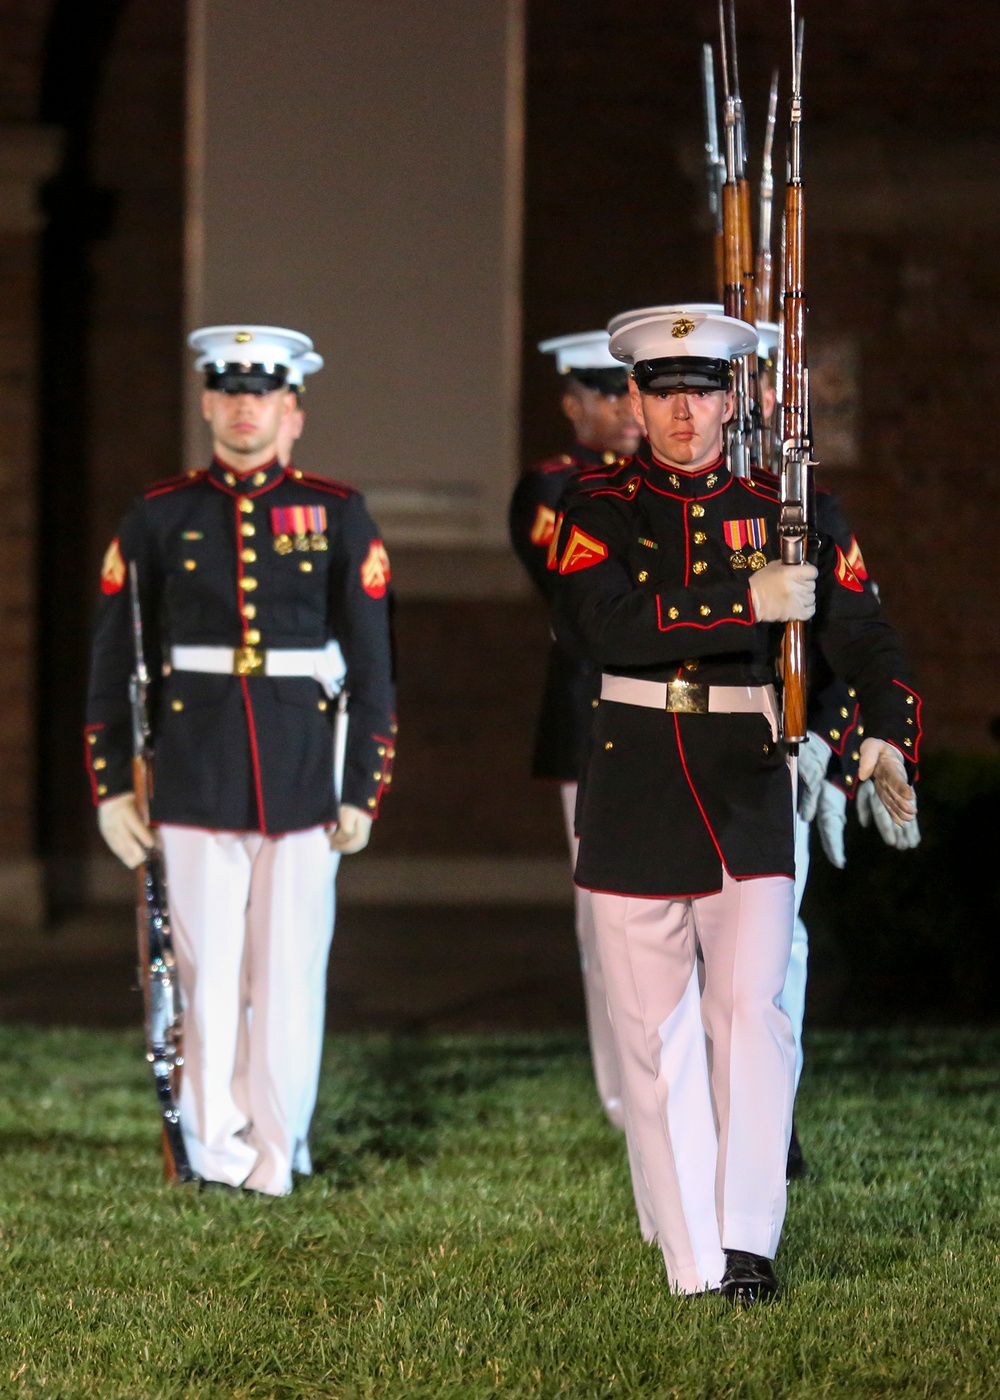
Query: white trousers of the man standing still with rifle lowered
[(253, 920)]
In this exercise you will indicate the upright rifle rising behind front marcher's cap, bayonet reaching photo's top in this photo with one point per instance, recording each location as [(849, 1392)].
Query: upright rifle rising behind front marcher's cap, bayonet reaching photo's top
[(743, 433)]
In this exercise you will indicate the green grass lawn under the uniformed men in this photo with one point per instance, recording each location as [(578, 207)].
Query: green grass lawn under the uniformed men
[(471, 1234)]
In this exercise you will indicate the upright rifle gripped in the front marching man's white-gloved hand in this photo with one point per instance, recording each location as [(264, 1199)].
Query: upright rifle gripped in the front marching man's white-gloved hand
[(796, 430)]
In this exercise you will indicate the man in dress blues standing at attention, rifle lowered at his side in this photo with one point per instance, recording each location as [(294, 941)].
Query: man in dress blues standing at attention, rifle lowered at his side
[(264, 594)]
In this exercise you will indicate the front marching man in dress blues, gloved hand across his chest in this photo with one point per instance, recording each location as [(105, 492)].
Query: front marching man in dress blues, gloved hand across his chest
[(670, 580)]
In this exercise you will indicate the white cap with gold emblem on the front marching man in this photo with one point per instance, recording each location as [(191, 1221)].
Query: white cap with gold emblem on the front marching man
[(673, 348)]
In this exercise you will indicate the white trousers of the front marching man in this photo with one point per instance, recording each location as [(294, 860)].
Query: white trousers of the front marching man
[(708, 1111)]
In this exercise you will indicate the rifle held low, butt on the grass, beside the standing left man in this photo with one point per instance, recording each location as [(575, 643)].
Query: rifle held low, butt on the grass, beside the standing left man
[(158, 972)]
